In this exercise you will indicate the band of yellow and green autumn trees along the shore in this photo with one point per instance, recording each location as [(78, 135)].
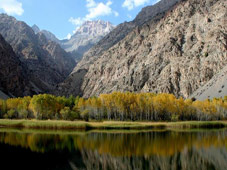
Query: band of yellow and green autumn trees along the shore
[(116, 106)]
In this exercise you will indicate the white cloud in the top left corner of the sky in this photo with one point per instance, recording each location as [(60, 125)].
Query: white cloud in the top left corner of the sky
[(11, 7)]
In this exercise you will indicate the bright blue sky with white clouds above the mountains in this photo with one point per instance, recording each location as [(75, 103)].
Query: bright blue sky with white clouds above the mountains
[(62, 17)]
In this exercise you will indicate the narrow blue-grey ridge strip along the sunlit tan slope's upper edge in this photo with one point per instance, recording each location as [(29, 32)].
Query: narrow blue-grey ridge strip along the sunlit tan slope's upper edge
[(119, 33)]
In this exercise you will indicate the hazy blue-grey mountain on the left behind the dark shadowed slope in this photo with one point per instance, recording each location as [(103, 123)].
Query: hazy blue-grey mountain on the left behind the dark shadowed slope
[(47, 63)]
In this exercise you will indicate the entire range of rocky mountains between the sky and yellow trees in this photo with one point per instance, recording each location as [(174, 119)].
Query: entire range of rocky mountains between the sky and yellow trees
[(174, 46)]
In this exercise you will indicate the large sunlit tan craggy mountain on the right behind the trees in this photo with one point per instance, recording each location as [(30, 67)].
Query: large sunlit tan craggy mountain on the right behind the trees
[(176, 51)]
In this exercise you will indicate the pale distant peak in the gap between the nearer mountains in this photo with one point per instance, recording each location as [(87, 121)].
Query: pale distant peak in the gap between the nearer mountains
[(86, 37)]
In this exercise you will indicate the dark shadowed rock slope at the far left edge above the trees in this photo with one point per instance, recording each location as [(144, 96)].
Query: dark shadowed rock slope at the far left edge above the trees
[(12, 75)]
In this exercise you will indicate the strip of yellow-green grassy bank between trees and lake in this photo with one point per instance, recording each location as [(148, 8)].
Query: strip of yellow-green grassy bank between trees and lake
[(54, 124)]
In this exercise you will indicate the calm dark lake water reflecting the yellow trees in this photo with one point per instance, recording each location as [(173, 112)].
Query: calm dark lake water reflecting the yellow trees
[(121, 150)]
